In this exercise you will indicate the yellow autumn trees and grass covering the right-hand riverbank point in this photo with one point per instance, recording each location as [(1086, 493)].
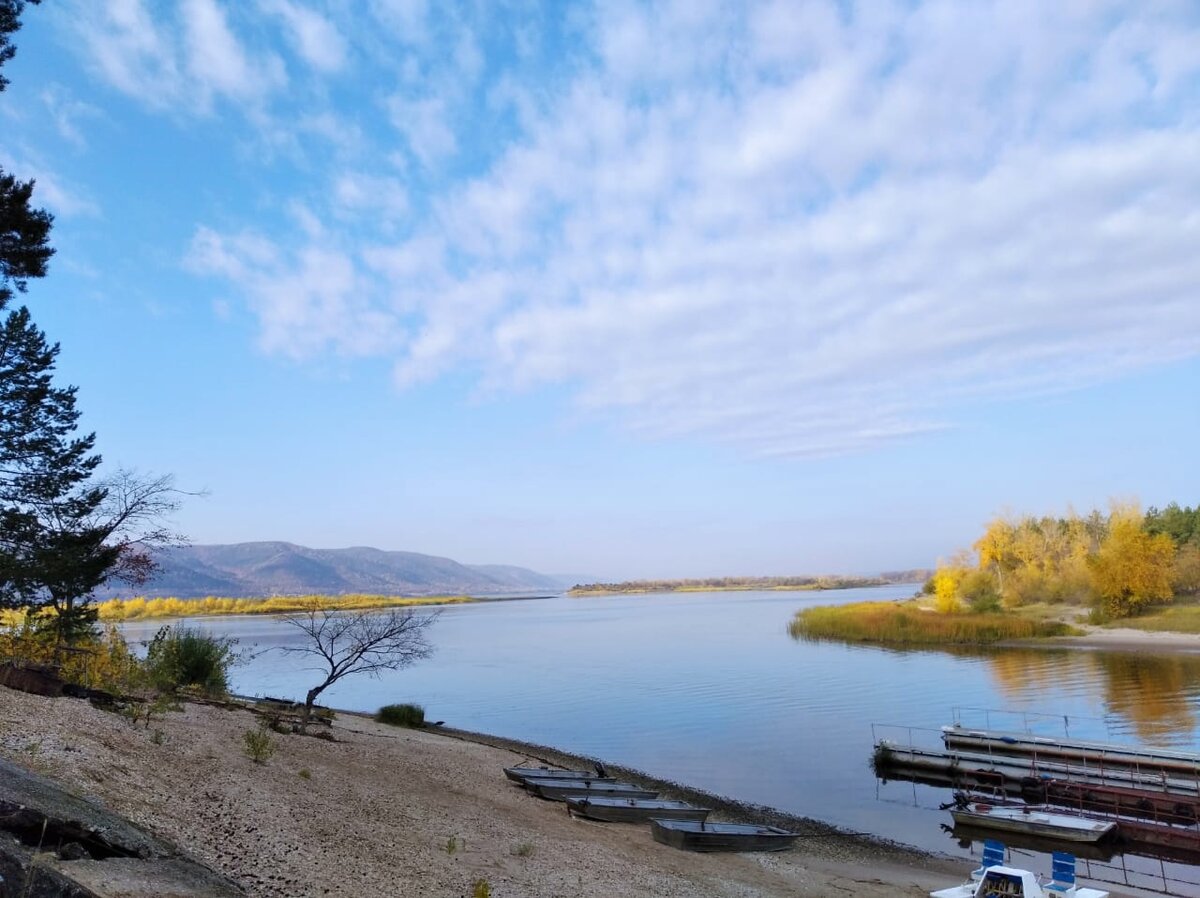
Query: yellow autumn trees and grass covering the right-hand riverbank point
[(1027, 576)]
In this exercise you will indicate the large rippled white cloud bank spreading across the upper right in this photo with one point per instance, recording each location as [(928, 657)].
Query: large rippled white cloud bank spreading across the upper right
[(800, 230)]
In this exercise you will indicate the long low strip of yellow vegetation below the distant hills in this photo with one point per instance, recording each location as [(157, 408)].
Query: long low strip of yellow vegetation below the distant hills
[(145, 609)]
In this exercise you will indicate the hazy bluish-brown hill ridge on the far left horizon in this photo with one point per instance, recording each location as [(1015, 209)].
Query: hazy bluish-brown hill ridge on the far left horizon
[(251, 570)]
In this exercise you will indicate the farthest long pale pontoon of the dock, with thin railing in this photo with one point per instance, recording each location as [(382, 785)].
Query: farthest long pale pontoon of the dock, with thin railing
[(1081, 752)]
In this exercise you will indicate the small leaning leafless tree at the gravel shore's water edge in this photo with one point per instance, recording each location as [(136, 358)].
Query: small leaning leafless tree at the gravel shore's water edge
[(359, 643)]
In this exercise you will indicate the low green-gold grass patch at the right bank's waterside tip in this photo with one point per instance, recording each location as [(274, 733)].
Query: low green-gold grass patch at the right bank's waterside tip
[(908, 624)]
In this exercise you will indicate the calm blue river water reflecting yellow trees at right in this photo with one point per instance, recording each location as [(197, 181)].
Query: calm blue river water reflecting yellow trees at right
[(709, 690)]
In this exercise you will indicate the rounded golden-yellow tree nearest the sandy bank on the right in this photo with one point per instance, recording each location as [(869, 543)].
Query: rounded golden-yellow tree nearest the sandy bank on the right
[(1132, 568)]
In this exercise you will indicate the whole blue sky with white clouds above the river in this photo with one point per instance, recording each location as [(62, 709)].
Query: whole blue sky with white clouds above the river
[(625, 290)]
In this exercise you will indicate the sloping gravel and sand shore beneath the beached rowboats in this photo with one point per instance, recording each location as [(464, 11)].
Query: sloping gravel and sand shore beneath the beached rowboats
[(376, 813)]
